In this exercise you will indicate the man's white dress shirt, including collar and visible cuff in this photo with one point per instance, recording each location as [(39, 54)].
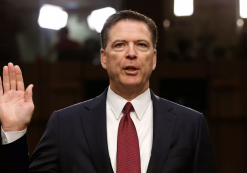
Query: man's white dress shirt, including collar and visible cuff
[(142, 117)]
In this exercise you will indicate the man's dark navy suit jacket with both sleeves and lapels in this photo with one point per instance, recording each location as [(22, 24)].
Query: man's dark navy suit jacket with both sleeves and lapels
[(75, 141)]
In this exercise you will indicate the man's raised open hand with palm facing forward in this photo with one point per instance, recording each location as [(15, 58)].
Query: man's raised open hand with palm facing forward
[(16, 103)]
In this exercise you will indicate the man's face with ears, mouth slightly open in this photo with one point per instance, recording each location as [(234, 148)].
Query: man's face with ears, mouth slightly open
[(129, 57)]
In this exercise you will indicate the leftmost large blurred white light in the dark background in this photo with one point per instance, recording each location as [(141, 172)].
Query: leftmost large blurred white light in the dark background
[(52, 17)]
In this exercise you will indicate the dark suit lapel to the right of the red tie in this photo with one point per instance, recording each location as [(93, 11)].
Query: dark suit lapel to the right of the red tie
[(163, 128)]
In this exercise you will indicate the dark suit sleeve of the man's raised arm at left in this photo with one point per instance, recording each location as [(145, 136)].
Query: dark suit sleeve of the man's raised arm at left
[(14, 156)]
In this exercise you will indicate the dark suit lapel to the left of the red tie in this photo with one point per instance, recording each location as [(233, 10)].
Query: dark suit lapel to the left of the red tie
[(94, 125)]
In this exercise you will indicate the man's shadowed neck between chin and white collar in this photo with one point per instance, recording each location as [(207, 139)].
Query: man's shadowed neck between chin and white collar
[(128, 93)]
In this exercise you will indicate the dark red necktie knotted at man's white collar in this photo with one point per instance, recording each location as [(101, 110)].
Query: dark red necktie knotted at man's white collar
[(128, 153)]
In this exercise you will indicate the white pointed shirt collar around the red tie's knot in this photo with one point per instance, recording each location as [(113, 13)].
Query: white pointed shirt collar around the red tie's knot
[(117, 103)]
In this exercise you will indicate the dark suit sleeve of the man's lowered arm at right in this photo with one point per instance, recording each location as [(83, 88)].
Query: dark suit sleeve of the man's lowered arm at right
[(204, 160)]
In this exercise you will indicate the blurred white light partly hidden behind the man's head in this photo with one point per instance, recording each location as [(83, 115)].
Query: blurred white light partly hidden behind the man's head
[(98, 17)]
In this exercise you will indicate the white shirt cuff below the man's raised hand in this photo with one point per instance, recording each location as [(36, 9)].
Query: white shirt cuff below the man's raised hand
[(8, 137)]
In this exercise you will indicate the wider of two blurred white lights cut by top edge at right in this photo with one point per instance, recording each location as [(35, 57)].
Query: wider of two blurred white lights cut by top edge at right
[(183, 7)]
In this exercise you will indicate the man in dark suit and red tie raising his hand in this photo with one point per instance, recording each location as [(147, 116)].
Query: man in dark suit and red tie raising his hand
[(127, 129)]
